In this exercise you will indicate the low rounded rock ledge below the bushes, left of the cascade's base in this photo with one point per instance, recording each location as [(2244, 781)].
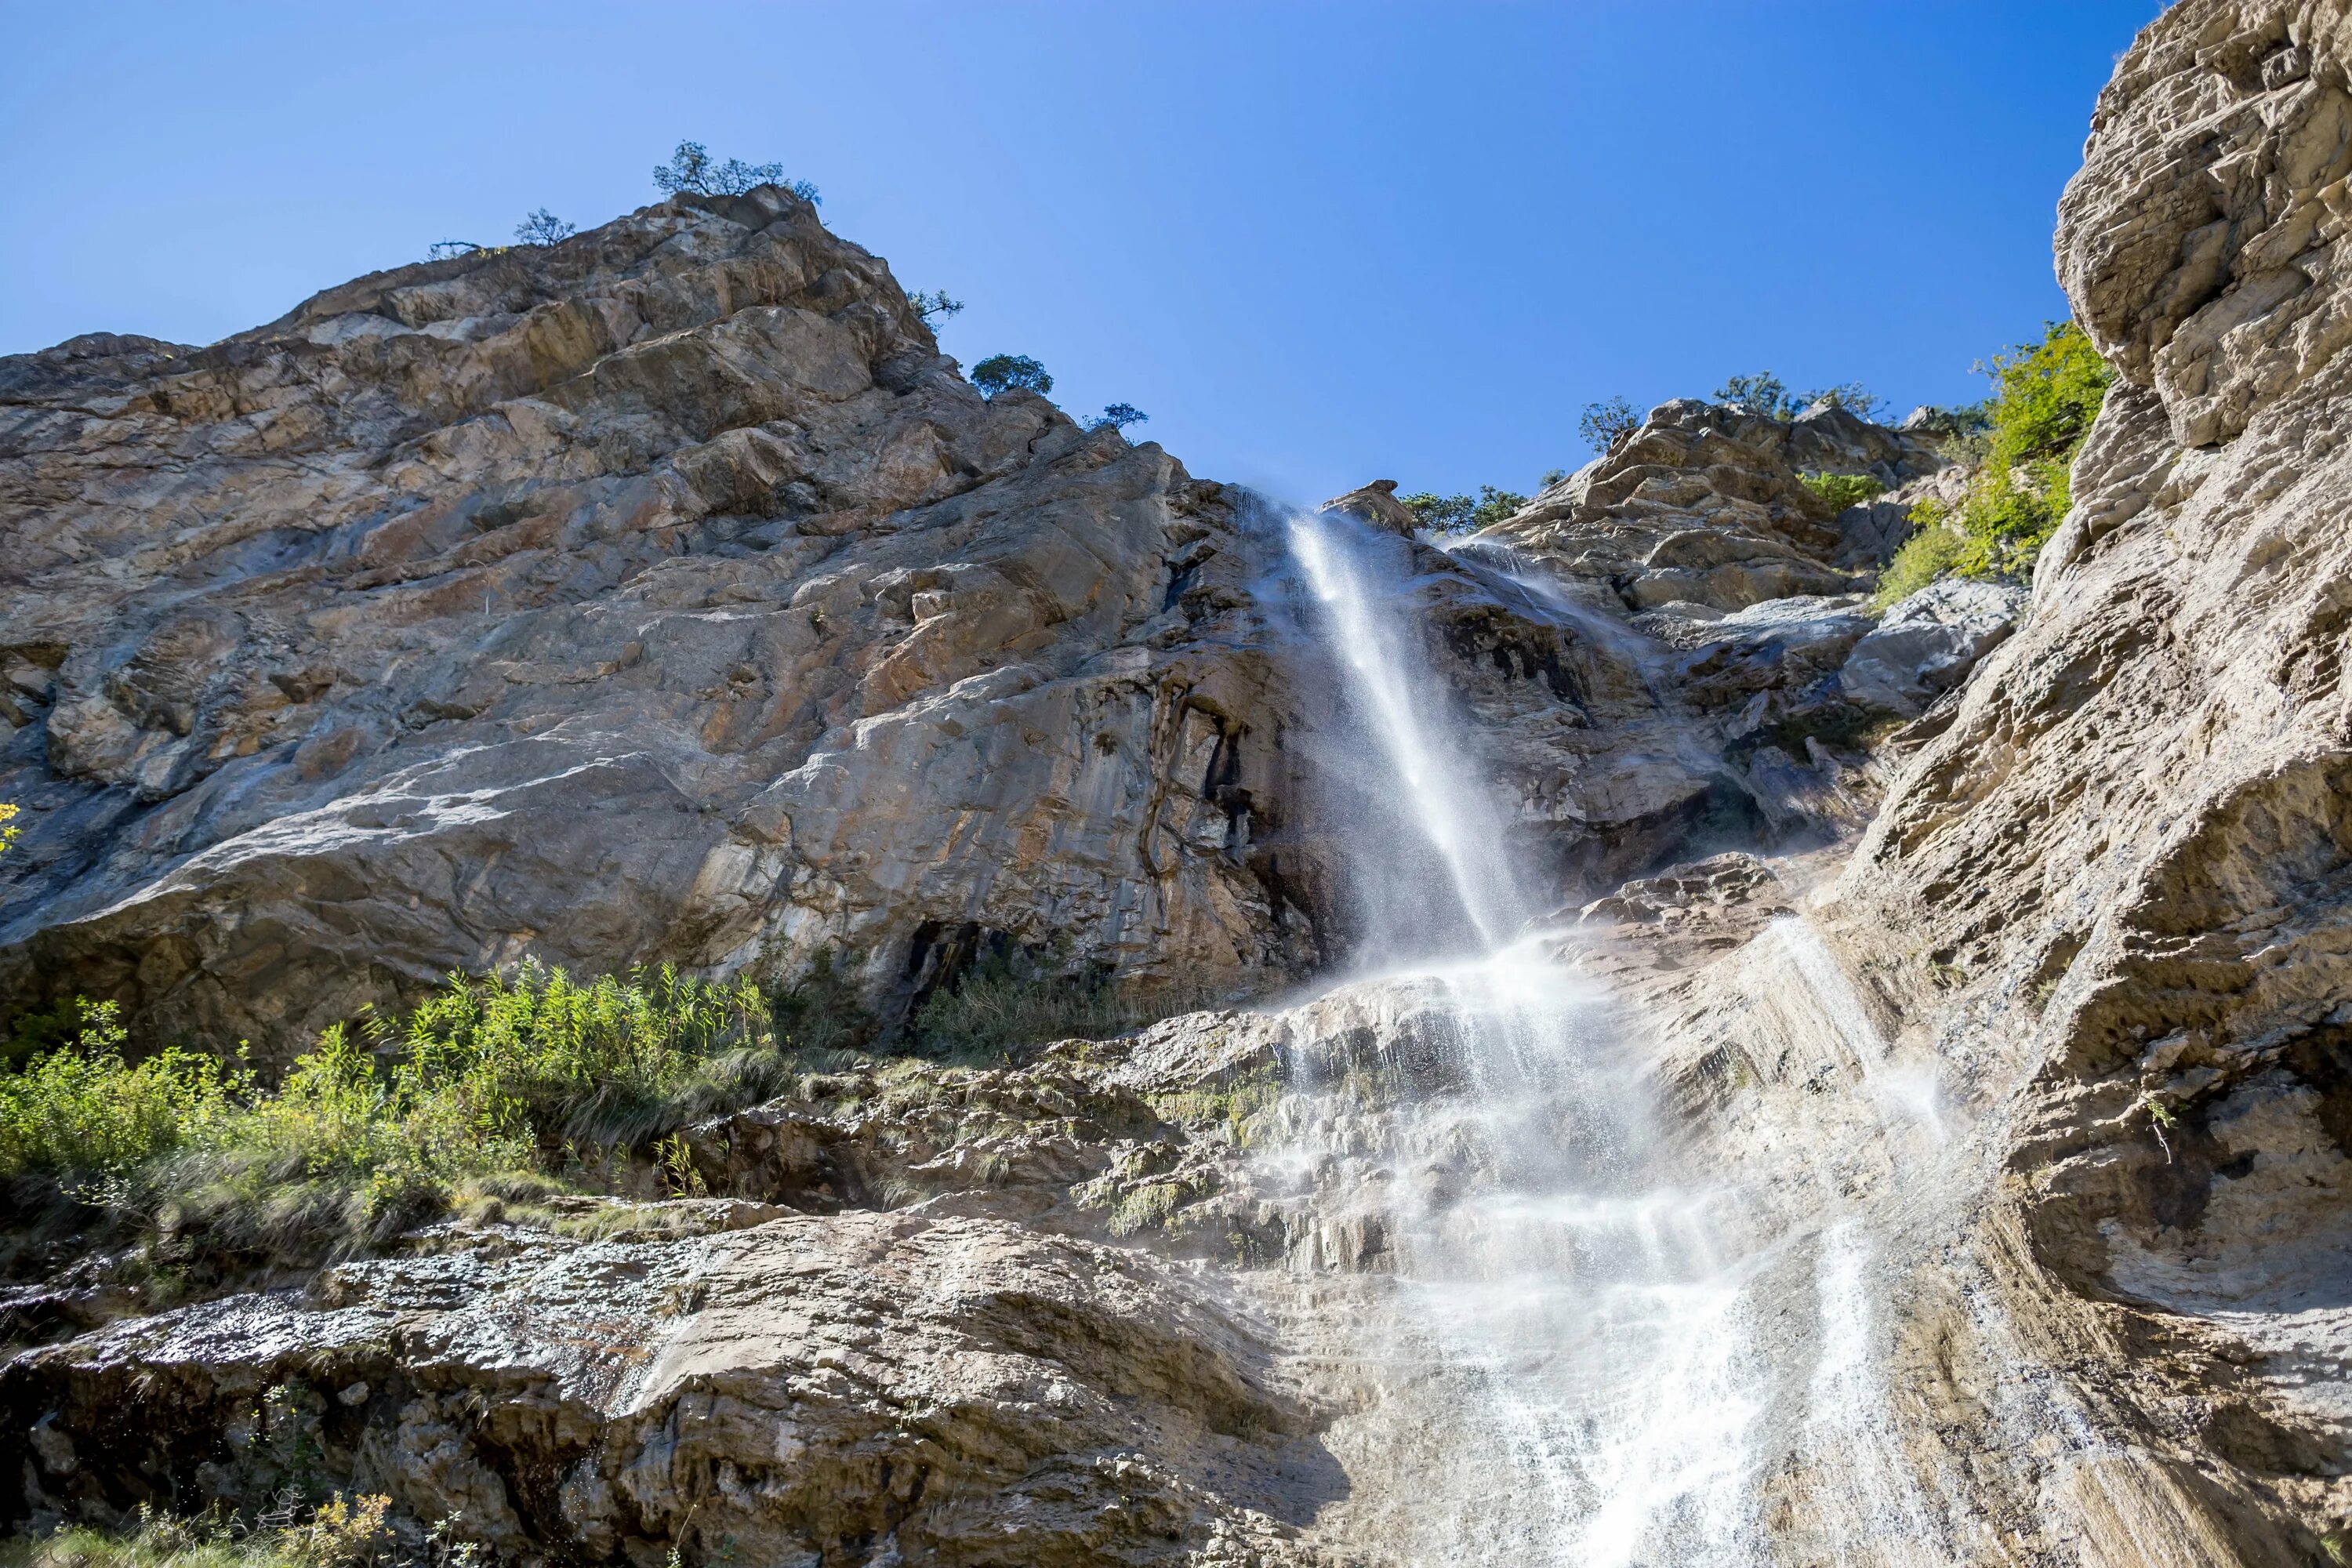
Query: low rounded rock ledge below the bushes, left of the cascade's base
[(862, 1388)]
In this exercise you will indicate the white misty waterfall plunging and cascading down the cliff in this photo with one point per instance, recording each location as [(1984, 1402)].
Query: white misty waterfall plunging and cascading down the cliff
[(1579, 1346)]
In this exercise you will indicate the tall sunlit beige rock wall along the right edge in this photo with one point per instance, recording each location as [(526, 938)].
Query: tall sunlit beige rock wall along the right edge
[(2134, 843)]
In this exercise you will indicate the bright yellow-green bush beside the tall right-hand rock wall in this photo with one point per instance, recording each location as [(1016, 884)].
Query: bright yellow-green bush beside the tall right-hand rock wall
[(2045, 398)]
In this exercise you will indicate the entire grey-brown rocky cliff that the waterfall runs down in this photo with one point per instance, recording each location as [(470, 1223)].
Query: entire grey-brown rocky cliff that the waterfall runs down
[(1975, 998)]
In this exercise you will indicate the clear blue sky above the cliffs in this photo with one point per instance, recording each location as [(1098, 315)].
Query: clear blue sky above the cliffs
[(1318, 243)]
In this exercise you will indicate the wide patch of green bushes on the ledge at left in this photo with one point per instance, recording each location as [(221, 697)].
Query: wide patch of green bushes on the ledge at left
[(486, 1078)]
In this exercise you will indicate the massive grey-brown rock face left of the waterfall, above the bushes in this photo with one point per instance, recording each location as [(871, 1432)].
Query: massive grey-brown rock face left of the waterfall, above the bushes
[(653, 596)]
